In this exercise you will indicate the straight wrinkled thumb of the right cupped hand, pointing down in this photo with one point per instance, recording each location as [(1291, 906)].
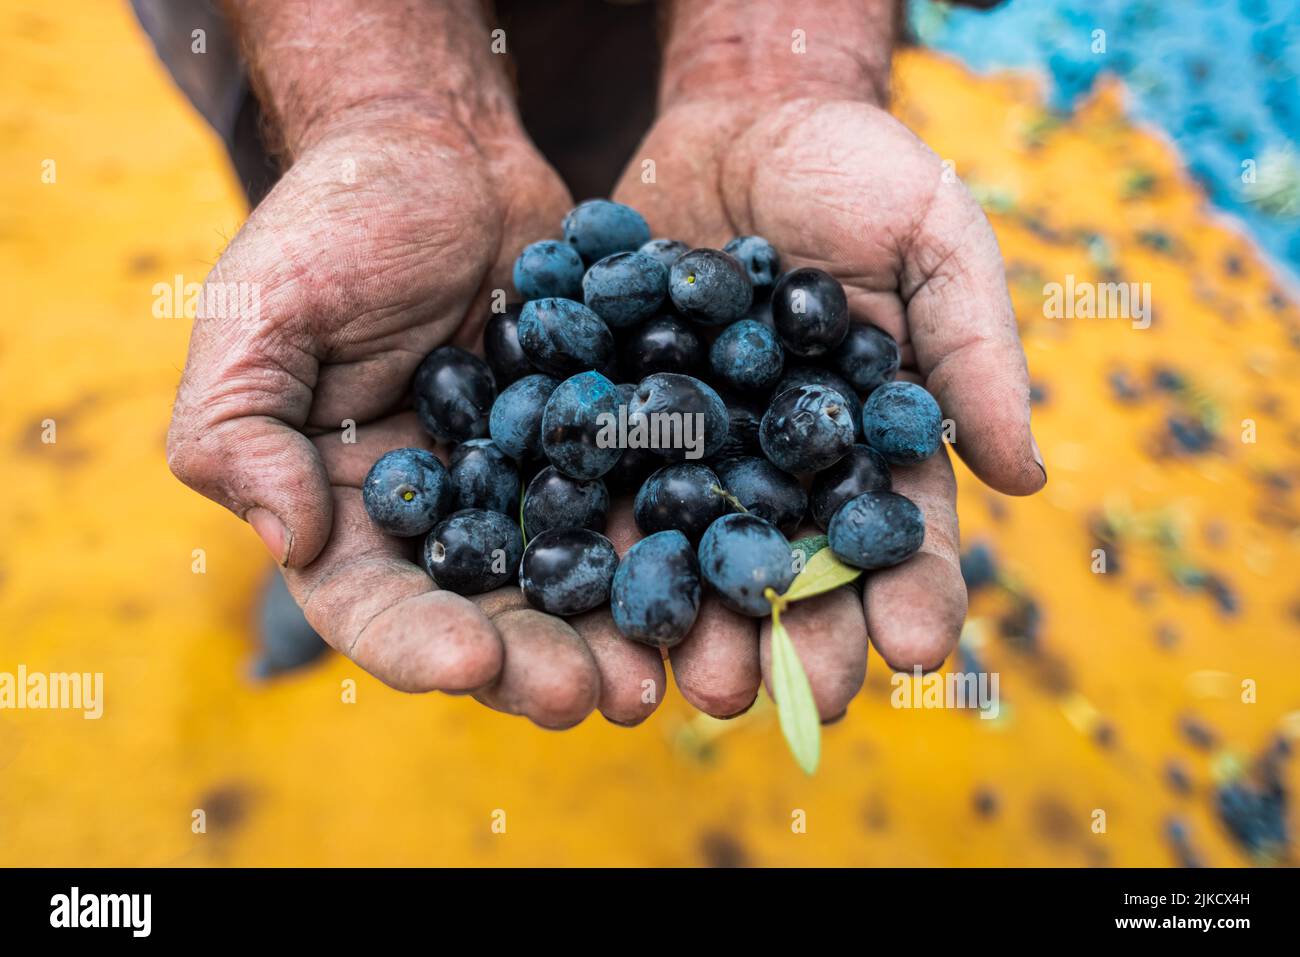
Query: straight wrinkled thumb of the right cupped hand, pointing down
[(968, 345)]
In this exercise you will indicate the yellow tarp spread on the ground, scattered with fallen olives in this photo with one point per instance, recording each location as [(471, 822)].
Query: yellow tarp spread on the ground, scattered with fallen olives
[(98, 542)]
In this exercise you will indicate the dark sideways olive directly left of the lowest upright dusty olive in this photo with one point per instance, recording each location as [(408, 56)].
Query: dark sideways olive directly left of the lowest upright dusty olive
[(567, 571)]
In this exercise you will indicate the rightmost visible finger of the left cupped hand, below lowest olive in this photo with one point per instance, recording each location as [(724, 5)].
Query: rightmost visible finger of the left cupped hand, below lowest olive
[(632, 675)]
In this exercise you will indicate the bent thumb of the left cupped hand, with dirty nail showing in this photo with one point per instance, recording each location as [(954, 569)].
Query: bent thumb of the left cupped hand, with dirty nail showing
[(236, 428)]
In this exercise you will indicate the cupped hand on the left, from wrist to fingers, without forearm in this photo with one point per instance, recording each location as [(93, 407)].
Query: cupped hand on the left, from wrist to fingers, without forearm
[(382, 243)]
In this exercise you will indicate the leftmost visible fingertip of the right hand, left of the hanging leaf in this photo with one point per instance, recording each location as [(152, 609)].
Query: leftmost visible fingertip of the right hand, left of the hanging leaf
[(717, 666)]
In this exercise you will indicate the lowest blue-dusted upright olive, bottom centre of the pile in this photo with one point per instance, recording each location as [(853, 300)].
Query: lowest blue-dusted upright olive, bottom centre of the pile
[(656, 594)]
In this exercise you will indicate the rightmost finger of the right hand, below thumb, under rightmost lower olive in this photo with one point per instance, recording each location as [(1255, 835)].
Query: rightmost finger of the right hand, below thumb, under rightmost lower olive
[(916, 610)]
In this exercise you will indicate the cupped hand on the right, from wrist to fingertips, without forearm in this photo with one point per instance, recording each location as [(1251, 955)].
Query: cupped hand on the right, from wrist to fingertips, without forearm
[(843, 187)]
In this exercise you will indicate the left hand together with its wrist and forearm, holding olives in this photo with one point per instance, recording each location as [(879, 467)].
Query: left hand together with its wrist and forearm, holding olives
[(411, 192)]
